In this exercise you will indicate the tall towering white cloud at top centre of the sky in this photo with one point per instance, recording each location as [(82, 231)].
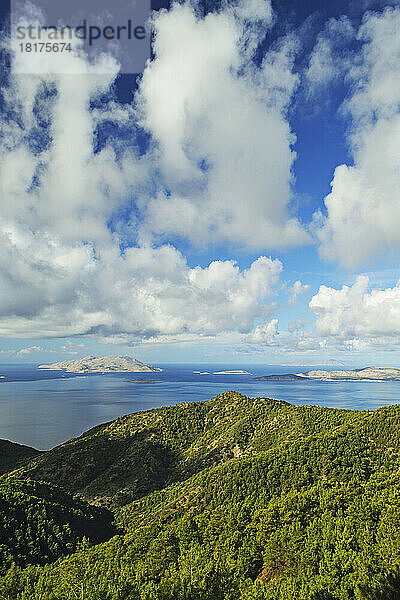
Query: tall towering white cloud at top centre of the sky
[(221, 140)]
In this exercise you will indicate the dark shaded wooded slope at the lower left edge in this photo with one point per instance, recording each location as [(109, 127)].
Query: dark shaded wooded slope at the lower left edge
[(39, 523)]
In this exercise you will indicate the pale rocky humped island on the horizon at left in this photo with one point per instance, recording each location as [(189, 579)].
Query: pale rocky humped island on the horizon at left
[(106, 364)]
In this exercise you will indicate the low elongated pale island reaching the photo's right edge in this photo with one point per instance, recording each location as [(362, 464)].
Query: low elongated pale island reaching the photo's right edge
[(365, 374)]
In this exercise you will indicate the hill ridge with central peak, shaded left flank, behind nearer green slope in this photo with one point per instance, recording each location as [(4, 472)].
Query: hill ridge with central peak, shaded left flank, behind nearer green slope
[(136, 454)]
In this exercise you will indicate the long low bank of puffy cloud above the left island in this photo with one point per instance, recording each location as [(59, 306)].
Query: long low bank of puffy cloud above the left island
[(152, 292)]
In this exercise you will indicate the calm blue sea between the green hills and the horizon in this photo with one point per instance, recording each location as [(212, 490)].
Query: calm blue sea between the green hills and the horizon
[(45, 408)]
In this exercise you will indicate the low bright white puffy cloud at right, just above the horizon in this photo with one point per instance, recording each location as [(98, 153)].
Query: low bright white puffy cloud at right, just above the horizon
[(354, 318)]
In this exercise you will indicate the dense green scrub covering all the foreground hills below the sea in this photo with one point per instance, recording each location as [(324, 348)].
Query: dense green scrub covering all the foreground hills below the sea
[(233, 499)]
